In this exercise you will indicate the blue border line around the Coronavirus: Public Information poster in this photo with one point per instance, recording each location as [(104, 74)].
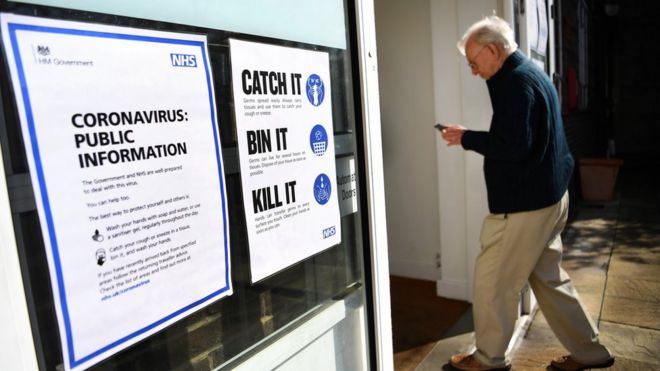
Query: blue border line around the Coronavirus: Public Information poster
[(13, 28)]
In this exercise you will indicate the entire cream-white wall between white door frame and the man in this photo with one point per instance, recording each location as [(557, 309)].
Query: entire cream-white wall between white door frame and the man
[(436, 196)]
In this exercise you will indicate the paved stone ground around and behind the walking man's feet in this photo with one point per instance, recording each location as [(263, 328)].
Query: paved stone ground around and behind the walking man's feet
[(612, 252)]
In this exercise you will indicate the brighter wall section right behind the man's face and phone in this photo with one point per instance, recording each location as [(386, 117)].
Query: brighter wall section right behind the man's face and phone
[(463, 99)]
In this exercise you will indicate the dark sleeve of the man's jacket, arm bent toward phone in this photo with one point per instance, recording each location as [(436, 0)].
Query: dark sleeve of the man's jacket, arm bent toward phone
[(510, 137)]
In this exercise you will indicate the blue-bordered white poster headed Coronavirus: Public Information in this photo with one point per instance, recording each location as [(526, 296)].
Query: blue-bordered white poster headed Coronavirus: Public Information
[(122, 143)]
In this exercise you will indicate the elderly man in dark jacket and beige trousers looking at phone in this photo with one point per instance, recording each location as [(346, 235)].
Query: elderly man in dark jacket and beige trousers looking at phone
[(527, 166)]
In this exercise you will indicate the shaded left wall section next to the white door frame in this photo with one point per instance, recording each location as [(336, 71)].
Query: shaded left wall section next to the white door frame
[(403, 33)]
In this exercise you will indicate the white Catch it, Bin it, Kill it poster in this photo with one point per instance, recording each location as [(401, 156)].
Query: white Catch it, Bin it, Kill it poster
[(286, 151)]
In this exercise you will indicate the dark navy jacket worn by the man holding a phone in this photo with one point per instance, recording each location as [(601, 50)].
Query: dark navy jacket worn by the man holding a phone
[(527, 163)]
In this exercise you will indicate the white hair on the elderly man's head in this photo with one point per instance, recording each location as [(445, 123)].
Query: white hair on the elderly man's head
[(490, 30)]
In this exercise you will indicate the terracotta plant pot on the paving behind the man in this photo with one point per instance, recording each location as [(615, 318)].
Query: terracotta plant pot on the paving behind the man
[(598, 177)]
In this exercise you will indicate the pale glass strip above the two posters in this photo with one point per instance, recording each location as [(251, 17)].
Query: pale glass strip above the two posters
[(315, 22)]
